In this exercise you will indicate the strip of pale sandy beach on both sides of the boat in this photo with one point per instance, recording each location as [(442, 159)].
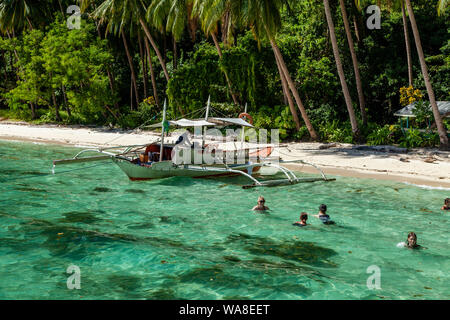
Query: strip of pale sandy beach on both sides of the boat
[(420, 167)]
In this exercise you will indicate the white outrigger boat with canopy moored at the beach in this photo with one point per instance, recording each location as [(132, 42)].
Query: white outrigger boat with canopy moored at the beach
[(157, 160)]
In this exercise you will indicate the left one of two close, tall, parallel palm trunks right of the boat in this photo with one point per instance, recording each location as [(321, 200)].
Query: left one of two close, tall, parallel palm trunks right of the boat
[(348, 100)]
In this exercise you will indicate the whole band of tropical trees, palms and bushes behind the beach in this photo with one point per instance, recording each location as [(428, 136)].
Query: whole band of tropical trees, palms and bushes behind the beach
[(312, 69)]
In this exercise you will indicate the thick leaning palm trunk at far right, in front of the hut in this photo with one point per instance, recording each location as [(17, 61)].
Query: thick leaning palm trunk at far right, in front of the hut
[(437, 117)]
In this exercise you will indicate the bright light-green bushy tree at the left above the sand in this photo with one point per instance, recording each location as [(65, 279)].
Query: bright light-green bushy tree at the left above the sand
[(62, 60)]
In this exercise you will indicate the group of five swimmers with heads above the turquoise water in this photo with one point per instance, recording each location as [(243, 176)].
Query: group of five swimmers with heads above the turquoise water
[(411, 241)]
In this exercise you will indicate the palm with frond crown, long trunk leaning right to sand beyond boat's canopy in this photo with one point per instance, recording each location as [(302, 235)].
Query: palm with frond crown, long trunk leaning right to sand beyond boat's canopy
[(263, 17)]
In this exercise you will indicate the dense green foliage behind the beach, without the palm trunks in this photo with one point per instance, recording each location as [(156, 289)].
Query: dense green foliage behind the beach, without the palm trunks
[(72, 66)]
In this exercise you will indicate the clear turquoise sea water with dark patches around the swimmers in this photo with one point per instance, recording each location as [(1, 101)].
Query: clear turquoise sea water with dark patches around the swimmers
[(197, 239)]
